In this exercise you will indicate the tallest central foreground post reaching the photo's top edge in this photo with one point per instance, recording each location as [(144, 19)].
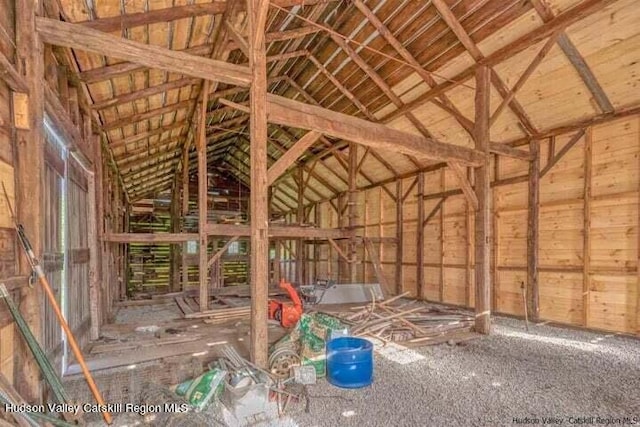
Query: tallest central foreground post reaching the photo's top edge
[(257, 11)]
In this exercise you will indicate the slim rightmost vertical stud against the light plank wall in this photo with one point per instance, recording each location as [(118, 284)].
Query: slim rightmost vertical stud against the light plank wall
[(586, 272)]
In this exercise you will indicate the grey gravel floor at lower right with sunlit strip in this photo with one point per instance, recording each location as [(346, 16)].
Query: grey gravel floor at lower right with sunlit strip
[(513, 374)]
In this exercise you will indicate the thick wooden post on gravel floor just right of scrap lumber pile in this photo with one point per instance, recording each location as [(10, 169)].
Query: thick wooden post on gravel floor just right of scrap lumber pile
[(482, 189)]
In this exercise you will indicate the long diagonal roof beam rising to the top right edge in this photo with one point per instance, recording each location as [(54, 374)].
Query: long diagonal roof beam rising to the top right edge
[(570, 16)]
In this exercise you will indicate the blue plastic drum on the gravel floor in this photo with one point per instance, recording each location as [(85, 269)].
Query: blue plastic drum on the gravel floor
[(350, 362)]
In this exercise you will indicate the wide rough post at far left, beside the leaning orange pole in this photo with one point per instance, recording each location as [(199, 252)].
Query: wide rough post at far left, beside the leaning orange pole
[(29, 169)]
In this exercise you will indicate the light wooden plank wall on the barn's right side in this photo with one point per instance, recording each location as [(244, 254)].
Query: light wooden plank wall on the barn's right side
[(600, 293)]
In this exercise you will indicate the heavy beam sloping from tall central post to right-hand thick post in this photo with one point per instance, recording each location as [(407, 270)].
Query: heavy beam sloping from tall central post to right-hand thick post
[(292, 113)]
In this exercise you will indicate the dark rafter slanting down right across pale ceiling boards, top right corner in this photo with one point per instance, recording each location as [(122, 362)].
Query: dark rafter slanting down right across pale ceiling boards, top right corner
[(576, 59)]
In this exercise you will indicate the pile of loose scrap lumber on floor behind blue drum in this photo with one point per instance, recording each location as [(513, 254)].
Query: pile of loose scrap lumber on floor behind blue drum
[(410, 322)]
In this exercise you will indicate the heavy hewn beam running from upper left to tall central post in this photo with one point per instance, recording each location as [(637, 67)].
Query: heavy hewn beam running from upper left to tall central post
[(79, 37)]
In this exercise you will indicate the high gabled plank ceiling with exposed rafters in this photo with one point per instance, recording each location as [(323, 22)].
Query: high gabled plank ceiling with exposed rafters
[(376, 59)]
